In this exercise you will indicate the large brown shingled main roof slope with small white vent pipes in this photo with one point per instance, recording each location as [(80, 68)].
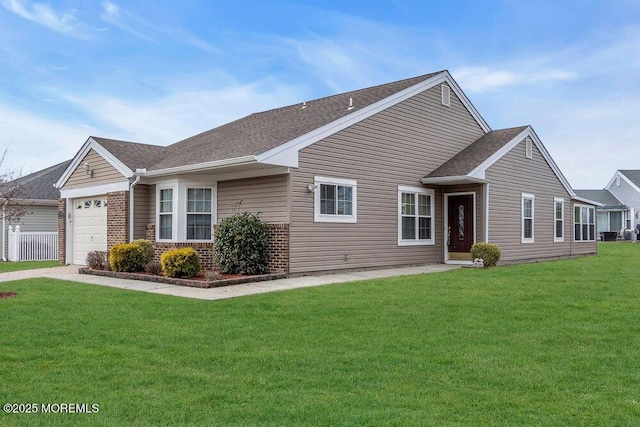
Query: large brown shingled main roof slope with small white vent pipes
[(259, 132)]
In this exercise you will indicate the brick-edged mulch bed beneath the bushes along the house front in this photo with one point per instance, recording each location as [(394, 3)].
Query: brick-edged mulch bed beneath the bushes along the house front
[(194, 282)]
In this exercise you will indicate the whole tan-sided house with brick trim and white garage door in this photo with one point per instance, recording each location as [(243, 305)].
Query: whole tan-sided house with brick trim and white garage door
[(401, 173)]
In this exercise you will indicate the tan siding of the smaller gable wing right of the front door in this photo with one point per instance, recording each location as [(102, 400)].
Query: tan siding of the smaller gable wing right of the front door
[(513, 175)]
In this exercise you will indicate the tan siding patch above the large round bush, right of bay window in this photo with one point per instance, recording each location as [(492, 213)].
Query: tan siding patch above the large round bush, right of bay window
[(266, 195)]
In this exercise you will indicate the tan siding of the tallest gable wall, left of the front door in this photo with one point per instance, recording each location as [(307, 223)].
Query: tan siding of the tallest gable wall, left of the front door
[(397, 146)]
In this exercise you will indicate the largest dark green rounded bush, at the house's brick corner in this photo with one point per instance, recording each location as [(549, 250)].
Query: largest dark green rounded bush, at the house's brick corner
[(241, 245)]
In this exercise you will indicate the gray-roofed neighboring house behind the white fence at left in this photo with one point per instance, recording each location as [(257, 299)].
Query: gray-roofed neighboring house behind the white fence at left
[(40, 198)]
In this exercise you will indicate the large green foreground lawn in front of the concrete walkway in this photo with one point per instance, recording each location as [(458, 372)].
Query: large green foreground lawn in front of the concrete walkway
[(555, 343)]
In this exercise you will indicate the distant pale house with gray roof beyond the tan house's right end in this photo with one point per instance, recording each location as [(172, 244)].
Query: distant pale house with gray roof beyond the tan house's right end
[(613, 215)]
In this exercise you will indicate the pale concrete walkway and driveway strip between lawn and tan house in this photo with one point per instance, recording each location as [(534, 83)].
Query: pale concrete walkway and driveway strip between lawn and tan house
[(70, 273)]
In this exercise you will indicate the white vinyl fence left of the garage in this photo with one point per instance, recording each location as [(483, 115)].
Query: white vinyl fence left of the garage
[(30, 246)]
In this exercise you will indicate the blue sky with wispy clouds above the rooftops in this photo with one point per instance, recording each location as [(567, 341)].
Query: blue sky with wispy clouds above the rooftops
[(158, 72)]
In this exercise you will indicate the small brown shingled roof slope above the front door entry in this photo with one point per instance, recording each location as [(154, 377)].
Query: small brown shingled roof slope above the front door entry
[(473, 155)]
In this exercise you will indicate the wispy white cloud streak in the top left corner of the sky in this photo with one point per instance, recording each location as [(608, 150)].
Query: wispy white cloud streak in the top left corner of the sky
[(43, 14)]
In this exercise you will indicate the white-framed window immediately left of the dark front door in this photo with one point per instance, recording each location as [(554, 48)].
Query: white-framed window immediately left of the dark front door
[(415, 216)]
